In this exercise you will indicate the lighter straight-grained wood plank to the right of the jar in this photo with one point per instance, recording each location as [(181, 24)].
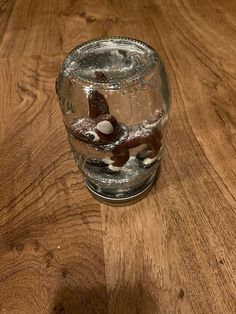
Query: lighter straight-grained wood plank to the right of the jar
[(172, 257)]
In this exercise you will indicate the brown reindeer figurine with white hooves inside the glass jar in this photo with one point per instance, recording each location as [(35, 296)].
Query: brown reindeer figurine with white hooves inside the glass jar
[(101, 129)]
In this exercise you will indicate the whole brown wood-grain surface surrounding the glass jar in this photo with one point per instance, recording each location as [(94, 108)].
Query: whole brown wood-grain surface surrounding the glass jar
[(173, 252)]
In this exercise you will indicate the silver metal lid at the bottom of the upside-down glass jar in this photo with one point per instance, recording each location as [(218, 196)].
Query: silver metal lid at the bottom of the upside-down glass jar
[(122, 199)]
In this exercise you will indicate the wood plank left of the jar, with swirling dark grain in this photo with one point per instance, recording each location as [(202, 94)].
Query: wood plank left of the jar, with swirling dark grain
[(51, 245)]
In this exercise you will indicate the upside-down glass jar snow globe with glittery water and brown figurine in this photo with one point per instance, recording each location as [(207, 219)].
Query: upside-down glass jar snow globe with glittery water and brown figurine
[(114, 97)]
